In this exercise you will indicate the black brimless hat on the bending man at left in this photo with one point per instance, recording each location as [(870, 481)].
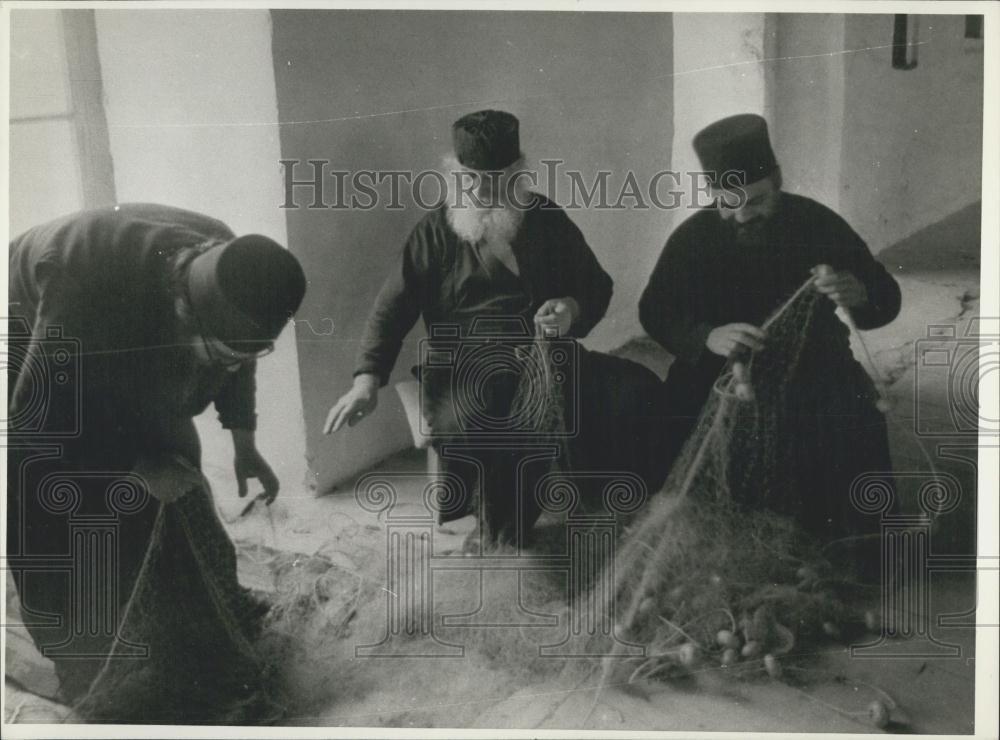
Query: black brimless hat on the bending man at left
[(243, 292)]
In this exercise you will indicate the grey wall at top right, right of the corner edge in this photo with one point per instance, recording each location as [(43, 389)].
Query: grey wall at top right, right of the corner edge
[(912, 150)]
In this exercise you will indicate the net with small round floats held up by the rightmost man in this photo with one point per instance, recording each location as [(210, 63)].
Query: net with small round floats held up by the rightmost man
[(723, 564)]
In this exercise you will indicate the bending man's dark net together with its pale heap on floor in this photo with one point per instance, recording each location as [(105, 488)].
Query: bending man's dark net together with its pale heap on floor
[(194, 647)]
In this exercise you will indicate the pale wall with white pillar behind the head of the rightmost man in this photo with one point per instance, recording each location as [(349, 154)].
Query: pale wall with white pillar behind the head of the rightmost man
[(891, 150)]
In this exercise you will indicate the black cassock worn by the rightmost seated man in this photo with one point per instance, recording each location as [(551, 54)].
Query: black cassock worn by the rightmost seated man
[(706, 278)]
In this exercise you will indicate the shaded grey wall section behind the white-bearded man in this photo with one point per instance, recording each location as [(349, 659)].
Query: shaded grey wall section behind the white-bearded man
[(591, 88)]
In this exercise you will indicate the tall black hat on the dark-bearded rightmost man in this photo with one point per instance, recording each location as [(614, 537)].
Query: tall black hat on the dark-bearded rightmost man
[(737, 144)]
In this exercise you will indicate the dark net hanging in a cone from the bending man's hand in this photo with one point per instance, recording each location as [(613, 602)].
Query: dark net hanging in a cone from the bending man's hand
[(186, 646)]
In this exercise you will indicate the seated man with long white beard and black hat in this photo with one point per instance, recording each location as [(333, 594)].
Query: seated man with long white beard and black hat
[(499, 267)]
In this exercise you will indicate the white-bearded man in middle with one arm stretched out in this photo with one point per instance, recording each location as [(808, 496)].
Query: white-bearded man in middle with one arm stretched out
[(492, 252)]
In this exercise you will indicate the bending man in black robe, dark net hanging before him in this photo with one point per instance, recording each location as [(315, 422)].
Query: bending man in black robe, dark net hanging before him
[(125, 323)]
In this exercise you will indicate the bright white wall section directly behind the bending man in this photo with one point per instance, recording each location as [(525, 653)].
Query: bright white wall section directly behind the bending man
[(192, 116)]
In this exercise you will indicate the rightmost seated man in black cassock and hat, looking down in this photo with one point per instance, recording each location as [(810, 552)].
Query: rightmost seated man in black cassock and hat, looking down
[(723, 272)]
